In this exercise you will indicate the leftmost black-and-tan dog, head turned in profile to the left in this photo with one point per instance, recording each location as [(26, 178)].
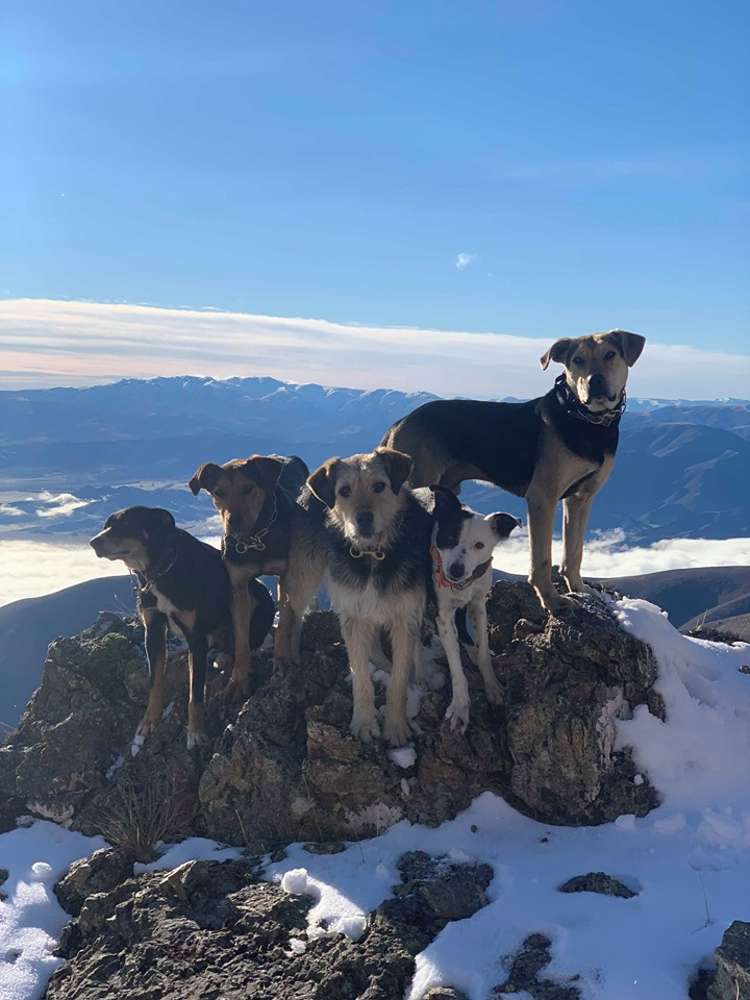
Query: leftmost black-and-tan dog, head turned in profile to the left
[(182, 584)]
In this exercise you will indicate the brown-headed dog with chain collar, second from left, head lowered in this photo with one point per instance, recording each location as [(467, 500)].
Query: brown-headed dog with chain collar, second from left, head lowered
[(266, 532)]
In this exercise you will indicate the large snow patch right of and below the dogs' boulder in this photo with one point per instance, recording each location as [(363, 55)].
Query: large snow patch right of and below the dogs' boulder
[(690, 857)]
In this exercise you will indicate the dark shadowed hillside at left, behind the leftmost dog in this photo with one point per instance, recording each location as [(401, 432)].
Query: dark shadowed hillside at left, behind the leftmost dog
[(28, 627)]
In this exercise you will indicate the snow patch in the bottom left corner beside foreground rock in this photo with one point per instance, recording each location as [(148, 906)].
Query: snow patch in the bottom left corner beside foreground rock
[(31, 918)]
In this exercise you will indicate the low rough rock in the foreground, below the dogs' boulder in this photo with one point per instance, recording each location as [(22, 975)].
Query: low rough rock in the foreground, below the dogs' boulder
[(210, 929)]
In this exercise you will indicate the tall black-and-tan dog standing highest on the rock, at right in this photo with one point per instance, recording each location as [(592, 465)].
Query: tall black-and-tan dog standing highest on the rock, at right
[(560, 446)]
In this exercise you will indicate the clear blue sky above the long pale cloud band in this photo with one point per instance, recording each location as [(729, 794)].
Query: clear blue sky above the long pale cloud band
[(332, 160)]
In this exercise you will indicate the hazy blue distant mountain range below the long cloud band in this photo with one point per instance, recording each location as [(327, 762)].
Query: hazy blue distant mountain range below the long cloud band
[(682, 467)]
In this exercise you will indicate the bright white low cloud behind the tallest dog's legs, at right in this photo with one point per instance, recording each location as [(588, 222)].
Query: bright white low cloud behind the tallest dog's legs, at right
[(607, 555)]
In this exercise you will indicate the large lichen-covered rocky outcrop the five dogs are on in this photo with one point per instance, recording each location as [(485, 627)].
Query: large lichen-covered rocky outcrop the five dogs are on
[(286, 768)]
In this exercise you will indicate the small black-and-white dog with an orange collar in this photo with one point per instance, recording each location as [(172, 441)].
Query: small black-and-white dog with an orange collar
[(461, 550)]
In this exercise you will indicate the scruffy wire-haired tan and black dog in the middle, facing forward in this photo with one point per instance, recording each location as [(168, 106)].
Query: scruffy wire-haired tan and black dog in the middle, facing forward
[(376, 540)]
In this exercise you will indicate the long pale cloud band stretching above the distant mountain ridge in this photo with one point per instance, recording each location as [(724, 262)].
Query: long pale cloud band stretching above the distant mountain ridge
[(45, 342)]
